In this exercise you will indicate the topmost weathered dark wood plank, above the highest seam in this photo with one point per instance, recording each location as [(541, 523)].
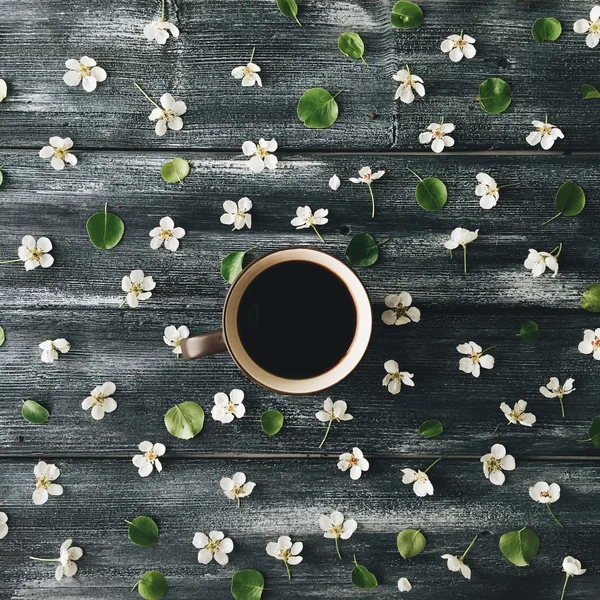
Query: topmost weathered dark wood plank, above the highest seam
[(218, 36)]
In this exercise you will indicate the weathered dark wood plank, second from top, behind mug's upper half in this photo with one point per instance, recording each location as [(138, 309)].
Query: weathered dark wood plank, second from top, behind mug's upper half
[(36, 200)]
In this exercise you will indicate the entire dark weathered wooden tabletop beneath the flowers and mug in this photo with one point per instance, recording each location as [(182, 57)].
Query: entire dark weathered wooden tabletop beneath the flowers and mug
[(78, 297)]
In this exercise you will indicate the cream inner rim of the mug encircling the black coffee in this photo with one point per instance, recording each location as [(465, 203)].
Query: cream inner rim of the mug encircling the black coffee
[(358, 345)]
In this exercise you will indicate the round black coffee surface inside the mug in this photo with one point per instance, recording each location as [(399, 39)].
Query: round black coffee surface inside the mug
[(297, 320)]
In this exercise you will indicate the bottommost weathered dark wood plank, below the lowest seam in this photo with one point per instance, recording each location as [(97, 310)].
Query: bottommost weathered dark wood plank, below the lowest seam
[(186, 498)]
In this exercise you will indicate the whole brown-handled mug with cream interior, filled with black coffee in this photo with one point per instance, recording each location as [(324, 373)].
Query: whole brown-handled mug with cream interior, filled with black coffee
[(296, 321)]
